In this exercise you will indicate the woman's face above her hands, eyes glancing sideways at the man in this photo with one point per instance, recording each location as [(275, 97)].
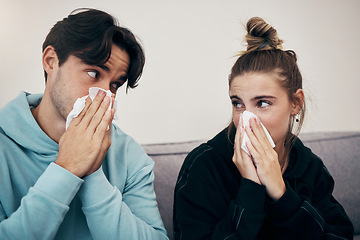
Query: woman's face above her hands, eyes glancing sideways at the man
[(262, 94)]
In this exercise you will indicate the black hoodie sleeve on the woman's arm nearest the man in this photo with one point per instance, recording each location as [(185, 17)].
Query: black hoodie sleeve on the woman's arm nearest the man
[(202, 211)]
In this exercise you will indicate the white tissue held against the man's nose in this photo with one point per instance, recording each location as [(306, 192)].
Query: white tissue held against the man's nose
[(80, 104)]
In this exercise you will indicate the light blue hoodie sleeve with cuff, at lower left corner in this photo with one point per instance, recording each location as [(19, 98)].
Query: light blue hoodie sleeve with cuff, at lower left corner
[(43, 209)]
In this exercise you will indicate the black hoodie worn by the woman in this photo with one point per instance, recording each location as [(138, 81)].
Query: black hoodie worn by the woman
[(213, 201)]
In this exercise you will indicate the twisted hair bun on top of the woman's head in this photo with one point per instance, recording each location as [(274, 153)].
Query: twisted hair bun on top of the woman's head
[(261, 36)]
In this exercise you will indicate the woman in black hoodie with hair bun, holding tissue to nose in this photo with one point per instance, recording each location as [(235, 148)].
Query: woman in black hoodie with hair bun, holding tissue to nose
[(283, 192)]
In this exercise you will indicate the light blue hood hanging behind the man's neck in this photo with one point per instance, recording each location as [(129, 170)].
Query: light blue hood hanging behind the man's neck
[(18, 124)]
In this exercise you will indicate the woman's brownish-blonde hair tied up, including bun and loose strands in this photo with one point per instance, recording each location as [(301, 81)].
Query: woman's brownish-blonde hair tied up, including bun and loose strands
[(265, 54)]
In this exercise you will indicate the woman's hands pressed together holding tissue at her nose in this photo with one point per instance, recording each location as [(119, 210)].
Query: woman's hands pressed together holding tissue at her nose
[(264, 159)]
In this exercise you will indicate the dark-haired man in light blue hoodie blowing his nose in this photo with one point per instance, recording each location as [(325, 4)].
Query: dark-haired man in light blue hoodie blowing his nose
[(90, 181)]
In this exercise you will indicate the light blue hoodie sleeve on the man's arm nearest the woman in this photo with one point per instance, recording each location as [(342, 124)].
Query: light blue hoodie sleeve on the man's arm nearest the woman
[(131, 213)]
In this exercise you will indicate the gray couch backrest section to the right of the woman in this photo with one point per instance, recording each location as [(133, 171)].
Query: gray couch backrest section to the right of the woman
[(340, 152)]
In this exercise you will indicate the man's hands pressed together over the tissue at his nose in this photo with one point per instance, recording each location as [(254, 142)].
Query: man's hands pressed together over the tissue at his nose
[(84, 144)]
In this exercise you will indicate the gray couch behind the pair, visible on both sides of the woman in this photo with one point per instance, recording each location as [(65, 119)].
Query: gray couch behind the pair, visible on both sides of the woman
[(340, 152)]
